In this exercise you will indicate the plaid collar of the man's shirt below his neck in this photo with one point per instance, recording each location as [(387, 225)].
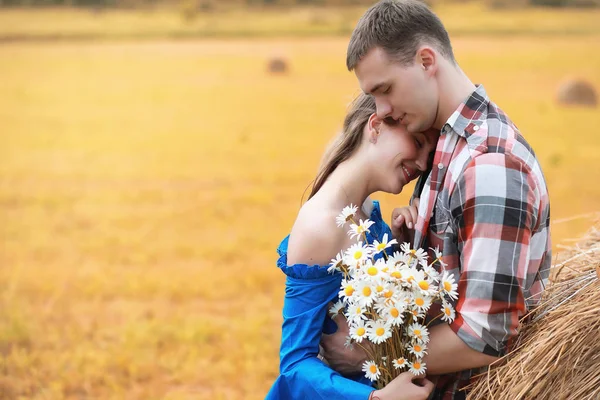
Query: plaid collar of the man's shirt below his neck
[(469, 115)]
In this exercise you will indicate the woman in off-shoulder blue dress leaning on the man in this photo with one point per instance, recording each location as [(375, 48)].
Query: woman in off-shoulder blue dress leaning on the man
[(370, 155)]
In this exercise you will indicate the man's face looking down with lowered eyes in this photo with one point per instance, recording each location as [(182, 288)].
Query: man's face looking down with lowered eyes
[(403, 93)]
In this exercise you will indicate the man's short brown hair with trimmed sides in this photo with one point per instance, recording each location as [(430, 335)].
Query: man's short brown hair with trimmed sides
[(399, 27)]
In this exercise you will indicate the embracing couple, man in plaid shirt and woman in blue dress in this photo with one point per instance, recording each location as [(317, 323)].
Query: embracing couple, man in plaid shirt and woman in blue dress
[(480, 199)]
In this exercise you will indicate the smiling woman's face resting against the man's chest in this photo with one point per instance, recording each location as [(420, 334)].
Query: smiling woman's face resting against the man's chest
[(399, 156)]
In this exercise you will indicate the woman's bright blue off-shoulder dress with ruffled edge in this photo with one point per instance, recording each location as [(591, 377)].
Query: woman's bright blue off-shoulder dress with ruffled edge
[(309, 289)]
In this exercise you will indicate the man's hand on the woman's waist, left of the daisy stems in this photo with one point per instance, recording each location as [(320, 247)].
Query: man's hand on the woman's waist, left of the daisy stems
[(340, 358)]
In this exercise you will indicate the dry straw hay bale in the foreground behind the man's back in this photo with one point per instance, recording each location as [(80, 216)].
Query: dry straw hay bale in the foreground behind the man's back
[(558, 354)]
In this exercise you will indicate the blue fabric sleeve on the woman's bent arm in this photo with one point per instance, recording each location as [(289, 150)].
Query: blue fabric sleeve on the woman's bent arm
[(302, 374)]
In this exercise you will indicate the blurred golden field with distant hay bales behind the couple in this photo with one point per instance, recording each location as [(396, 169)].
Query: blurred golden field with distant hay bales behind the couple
[(154, 153)]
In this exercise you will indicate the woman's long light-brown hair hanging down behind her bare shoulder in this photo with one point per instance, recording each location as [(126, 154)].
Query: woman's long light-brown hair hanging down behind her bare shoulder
[(346, 143)]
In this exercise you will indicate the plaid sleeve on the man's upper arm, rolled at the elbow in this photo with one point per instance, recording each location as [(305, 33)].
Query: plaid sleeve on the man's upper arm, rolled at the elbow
[(494, 206)]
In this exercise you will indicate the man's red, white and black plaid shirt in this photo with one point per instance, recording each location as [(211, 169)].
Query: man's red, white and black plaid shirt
[(485, 205)]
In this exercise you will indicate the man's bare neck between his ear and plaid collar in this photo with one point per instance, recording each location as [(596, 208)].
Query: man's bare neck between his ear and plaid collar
[(455, 88)]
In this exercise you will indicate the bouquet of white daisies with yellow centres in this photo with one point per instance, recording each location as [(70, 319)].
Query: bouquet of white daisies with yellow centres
[(385, 298)]
